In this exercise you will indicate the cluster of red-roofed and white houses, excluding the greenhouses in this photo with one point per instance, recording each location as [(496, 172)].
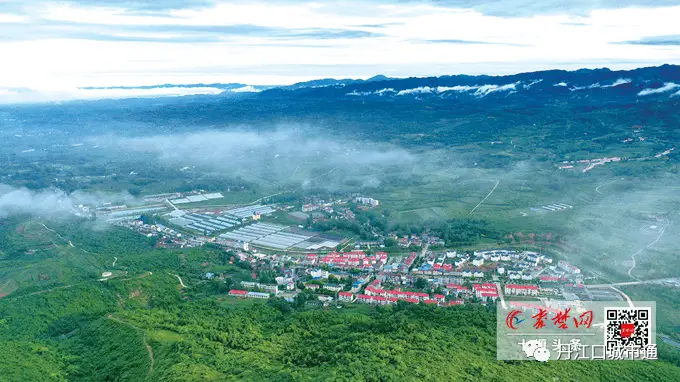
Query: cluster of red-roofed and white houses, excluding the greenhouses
[(446, 278)]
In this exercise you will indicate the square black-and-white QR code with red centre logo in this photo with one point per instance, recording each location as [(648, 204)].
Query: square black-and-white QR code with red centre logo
[(627, 327)]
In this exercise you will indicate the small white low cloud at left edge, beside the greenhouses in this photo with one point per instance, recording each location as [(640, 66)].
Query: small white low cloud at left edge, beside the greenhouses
[(53, 203)]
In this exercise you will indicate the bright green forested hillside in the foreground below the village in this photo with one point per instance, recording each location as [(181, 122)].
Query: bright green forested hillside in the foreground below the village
[(172, 340)]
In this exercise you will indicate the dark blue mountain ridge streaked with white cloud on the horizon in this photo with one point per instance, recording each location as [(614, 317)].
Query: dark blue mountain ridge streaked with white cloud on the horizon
[(587, 85)]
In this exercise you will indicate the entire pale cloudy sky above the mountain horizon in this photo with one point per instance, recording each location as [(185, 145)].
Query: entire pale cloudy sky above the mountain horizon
[(57, 47)]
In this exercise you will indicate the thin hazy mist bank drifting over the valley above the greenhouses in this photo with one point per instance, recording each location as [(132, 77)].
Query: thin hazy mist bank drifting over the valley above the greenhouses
[(284, 156)]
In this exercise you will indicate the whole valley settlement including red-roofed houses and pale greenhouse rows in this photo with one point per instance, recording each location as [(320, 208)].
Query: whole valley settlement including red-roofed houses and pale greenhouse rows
[(329, 269)]
